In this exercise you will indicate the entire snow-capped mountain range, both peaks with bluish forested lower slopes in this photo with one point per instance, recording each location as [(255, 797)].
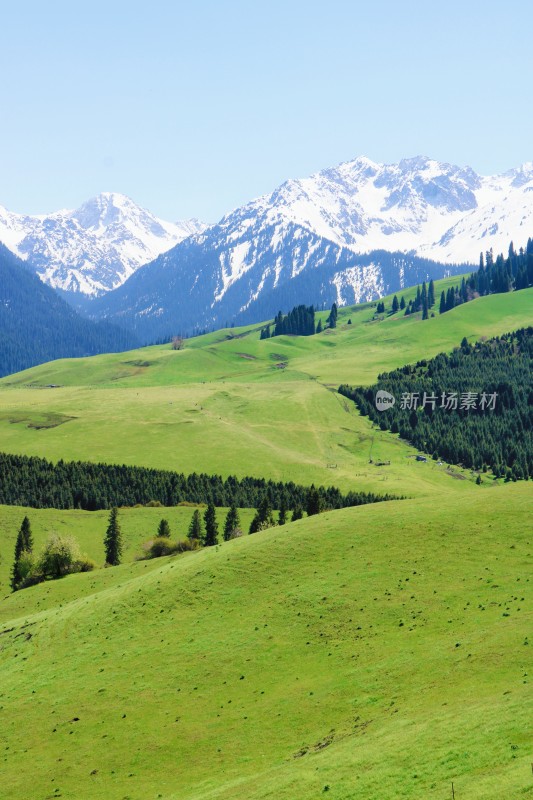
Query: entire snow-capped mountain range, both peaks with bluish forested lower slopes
[(350, 233)]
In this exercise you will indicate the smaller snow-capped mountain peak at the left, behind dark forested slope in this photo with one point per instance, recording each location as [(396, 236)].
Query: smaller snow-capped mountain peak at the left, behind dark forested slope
[(94, 248)]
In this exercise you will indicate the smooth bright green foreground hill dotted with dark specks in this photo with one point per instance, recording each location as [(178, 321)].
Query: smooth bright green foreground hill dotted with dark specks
[(376, 653)]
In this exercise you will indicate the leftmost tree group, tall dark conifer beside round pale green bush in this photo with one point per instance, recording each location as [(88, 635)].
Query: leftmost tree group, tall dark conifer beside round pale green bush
[(60, 556)]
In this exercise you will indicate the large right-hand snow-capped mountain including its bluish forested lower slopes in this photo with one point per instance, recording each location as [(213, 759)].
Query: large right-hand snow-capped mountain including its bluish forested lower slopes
[(348, 234)]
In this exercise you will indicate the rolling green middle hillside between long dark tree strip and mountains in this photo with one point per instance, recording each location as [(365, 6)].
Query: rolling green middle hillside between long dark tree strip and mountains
[(230, 403)]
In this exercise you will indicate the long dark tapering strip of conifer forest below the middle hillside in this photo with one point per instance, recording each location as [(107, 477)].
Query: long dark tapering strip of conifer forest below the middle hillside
[(37, 483)]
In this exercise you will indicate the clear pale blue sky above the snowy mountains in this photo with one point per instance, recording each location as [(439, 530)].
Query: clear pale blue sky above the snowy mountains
[(193, 108)]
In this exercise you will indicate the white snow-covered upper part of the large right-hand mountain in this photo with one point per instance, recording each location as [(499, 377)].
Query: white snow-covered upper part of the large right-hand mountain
[(434, 209)]
